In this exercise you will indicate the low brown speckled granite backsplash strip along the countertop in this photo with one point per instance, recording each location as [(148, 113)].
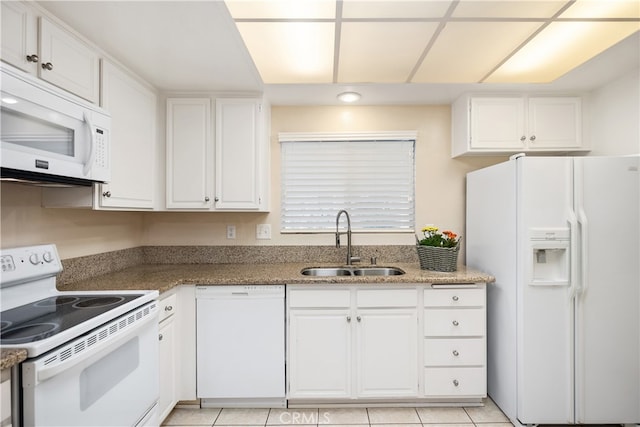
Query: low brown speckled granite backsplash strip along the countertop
[(81, 268)]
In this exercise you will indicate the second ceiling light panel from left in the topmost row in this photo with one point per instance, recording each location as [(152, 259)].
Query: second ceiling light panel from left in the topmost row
[(394, 9)]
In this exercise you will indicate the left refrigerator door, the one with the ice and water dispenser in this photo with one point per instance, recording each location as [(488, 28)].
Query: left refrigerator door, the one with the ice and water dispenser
[(544, 313)]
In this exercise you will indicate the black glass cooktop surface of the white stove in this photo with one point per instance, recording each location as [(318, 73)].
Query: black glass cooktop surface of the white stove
[(53, 315)]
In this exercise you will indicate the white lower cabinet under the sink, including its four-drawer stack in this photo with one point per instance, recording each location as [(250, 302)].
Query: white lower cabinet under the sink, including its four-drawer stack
[(386, 344)]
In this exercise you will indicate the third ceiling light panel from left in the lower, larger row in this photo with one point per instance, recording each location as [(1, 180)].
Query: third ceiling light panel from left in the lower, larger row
[(466, 52)]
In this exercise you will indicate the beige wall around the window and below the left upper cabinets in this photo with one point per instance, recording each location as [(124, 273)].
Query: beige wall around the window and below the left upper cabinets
[(439, 193)]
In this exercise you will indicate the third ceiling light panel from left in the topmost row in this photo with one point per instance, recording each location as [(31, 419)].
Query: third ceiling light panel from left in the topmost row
[(507, 9)]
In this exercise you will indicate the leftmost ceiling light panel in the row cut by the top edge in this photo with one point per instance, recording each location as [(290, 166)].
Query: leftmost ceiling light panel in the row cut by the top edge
[(282, 9)]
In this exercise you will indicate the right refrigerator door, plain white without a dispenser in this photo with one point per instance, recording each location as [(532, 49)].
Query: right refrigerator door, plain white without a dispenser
[(608, 306)]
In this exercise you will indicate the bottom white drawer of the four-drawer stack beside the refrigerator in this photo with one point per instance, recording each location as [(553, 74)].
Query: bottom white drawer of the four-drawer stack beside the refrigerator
[(455, 382)]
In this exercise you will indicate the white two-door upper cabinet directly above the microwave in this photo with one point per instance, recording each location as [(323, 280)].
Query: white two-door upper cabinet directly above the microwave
[(50, 51)]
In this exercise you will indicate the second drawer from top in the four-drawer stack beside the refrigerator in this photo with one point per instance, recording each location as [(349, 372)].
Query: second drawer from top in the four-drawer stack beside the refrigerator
[(454, 322)]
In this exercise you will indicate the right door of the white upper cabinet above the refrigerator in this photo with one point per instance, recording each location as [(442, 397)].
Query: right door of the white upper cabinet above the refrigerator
[(555, 123)]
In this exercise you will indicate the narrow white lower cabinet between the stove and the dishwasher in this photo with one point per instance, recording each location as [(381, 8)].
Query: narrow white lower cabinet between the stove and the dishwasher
[(167, 355)]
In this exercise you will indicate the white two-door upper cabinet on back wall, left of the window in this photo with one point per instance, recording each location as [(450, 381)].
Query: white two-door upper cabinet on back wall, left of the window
[(227, 173)]
